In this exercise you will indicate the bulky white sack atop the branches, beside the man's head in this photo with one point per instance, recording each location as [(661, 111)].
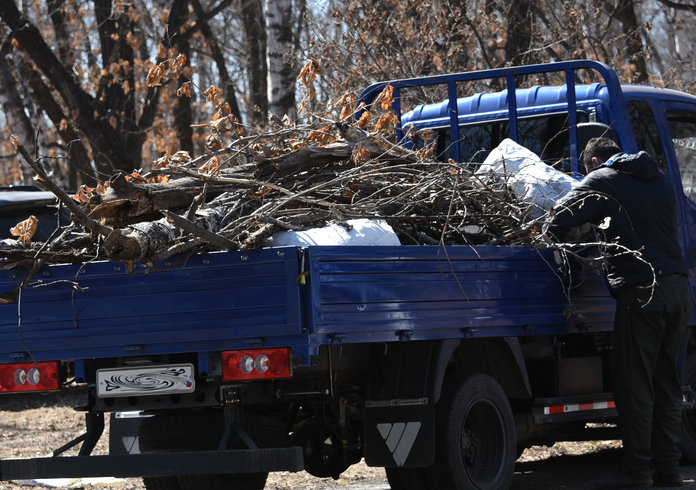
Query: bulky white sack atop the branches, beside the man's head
[(529, 178)]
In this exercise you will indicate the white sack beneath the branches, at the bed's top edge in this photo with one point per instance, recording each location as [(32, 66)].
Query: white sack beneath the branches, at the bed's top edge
[(362, 232)]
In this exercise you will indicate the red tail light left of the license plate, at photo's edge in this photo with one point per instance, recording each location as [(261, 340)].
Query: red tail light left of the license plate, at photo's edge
[(29, 376)]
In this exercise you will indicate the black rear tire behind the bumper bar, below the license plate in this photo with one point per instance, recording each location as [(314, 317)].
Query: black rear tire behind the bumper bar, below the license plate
[(201, 431)]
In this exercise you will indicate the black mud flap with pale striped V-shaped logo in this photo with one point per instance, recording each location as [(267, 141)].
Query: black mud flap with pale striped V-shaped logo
[(400, 432)]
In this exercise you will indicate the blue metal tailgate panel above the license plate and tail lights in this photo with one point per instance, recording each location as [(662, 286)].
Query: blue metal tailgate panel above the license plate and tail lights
[(202, 304)]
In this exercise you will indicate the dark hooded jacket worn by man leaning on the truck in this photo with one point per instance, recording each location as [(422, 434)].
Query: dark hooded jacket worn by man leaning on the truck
[(641, 206)]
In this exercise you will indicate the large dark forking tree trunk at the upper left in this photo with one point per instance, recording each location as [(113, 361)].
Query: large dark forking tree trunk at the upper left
[(108, 119)]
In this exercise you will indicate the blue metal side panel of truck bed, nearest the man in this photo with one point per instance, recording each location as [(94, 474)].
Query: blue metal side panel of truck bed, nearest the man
[(367, 294)]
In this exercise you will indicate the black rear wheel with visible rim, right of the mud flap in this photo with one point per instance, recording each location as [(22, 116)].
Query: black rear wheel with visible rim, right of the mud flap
[(475, 445)]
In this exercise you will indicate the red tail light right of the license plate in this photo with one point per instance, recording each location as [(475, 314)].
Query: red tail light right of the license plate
[(256, 363)]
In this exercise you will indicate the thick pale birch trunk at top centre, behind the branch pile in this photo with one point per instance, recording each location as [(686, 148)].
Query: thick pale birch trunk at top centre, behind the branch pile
[(279, 55)]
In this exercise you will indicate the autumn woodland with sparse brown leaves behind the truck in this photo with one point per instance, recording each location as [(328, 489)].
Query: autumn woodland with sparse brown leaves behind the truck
[(93, 87)]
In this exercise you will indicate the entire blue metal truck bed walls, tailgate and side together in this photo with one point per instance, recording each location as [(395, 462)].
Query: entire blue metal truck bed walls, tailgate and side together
[(226, 300)]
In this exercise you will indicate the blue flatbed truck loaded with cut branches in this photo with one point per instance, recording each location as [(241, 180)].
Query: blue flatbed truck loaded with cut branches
[(440, 364)]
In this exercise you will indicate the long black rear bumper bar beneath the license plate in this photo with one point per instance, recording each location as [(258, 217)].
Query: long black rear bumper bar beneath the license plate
[(154, 464)]
